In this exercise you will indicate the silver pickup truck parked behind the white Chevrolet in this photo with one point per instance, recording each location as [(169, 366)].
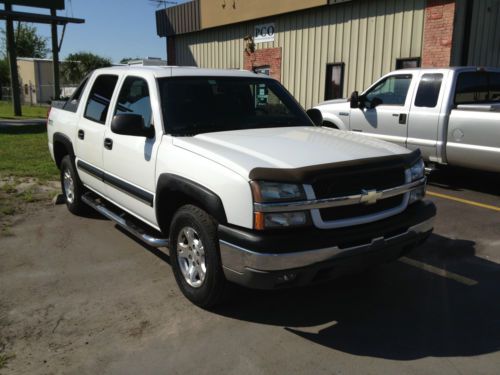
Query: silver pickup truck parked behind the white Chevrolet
[(452, 115)]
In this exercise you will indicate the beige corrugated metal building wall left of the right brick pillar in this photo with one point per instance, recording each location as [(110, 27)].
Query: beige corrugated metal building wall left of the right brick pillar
[(368, 36)]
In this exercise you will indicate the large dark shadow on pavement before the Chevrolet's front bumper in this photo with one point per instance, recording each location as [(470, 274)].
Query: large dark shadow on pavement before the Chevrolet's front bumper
[(397, 311)]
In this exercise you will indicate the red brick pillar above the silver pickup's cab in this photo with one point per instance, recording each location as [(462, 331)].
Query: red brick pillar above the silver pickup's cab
[(438, 33)]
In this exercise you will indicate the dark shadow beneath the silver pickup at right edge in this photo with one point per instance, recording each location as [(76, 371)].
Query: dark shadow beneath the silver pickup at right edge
[(458, 179)]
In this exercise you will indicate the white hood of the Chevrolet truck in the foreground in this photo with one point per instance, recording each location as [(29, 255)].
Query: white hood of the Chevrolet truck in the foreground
[(288, 147)]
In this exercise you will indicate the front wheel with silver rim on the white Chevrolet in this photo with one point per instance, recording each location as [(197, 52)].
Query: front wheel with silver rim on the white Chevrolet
[(195, 257)]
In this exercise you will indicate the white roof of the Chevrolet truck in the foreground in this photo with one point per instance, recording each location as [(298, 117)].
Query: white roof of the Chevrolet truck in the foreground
[(180, 71)]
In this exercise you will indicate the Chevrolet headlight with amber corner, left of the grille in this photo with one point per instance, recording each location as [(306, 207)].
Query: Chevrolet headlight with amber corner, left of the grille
[(264, 191)]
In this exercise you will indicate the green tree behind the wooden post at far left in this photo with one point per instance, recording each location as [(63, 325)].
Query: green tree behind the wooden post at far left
[(28, 42)]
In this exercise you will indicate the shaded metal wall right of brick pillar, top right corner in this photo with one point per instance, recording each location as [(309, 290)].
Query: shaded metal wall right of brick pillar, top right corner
[(484, 47)]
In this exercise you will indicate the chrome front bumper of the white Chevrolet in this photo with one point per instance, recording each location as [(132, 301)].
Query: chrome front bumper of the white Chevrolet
[(237, 260)]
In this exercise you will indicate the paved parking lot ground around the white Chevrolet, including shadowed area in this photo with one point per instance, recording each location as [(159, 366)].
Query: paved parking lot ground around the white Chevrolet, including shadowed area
[(79, 296)]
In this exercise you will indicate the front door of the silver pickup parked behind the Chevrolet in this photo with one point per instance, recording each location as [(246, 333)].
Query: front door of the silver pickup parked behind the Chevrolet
[(384, 109)]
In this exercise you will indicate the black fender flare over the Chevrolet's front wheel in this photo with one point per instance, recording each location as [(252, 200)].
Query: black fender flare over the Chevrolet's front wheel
[(177, 186)]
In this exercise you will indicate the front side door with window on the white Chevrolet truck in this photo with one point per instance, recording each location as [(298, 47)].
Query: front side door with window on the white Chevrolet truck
[(129, 160)]
